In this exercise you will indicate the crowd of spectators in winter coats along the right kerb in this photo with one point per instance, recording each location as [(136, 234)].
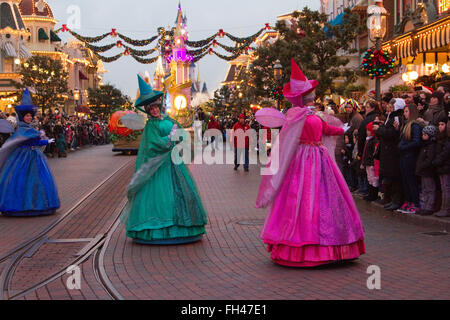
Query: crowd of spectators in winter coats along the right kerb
[(399, 149)]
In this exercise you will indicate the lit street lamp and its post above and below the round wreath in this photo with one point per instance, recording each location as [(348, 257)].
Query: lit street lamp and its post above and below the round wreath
[(377, 25)]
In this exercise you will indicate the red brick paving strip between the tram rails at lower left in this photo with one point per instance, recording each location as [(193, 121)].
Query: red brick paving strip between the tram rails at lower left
[(93, 218)]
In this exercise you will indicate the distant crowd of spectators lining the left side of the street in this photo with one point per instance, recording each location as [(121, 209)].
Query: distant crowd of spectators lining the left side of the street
[(70, 132)]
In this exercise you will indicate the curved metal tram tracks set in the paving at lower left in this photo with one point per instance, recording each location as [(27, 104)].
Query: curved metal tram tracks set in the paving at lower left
[(95, 249)]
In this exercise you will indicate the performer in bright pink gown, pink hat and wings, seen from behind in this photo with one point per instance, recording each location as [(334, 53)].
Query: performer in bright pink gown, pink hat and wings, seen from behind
[(313, 219)]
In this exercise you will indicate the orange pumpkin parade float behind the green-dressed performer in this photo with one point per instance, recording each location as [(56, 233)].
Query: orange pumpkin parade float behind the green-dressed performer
[(124, 140)]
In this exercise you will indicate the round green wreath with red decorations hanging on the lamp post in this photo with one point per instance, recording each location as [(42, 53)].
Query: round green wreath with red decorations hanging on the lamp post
[(377, 63)]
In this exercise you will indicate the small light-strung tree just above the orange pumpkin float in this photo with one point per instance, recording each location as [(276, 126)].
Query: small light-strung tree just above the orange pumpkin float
[(106, 99)]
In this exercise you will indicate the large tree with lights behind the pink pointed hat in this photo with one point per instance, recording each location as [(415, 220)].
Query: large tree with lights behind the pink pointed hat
[(313, 43)]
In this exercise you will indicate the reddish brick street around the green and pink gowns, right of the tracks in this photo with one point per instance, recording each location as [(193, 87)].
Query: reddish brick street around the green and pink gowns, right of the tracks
[(232, 263)]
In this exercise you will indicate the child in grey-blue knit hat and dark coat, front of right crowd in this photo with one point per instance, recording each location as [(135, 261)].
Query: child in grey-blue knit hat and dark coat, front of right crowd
[(425, 170)]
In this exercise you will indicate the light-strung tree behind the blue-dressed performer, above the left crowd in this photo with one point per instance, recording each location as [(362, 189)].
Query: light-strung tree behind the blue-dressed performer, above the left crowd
[(46, 78)]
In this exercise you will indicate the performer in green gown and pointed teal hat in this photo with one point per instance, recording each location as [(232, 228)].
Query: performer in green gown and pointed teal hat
[(164, 206)]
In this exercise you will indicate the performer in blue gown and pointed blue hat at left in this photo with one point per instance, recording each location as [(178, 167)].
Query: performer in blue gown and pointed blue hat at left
[(27, 187)]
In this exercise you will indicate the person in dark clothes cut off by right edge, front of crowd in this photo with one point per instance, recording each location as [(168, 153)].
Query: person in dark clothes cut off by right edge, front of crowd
[(442, 164)]
